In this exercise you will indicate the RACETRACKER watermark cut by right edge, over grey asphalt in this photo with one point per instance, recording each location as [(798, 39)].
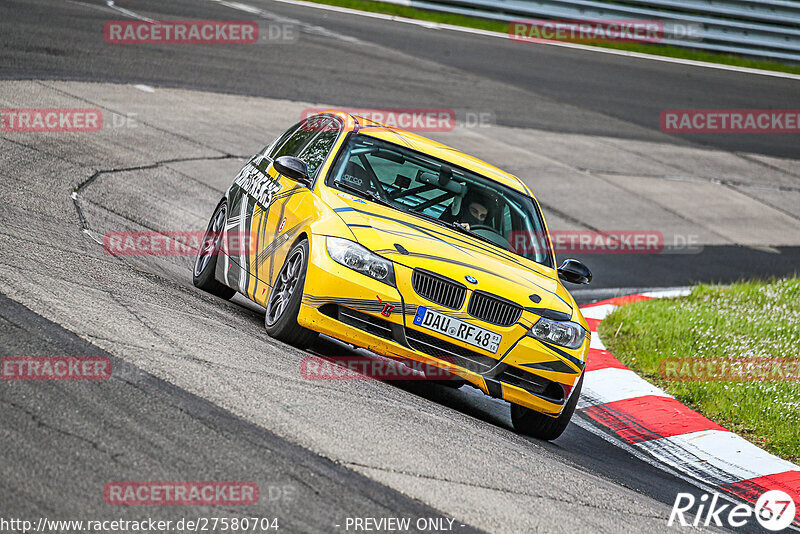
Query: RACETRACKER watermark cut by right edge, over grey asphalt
[(730, 120)]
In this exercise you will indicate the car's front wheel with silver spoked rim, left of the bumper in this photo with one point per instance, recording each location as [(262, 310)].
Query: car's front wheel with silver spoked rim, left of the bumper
[(283, 305)]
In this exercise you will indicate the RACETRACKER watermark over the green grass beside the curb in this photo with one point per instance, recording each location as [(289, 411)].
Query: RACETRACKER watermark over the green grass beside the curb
[(731, 369)]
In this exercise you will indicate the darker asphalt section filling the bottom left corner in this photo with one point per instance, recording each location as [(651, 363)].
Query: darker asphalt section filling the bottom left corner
[(106, 426)]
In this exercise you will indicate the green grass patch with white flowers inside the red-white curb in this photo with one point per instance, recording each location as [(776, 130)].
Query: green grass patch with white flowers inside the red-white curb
[(745, 320)]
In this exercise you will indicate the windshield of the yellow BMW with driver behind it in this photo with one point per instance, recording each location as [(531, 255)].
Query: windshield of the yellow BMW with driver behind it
[(417, 183)]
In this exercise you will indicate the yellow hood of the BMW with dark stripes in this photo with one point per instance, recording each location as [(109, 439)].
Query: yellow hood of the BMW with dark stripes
[(417, 243)]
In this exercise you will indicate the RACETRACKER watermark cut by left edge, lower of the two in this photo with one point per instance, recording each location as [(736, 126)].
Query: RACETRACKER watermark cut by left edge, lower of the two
[(55, 368)]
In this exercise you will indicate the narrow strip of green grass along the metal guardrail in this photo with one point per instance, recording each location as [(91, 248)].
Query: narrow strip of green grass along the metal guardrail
[(501, 27)]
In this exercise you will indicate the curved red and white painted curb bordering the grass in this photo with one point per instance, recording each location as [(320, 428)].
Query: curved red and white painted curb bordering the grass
[(652, 421)]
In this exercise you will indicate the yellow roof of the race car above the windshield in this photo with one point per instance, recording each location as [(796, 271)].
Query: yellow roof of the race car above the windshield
[(366, 126)]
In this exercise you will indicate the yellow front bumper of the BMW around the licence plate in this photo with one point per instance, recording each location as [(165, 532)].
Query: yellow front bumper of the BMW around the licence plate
[(356, 309)]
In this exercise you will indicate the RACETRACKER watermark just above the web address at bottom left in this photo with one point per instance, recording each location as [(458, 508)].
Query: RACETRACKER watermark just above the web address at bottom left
[(181, 493)]
